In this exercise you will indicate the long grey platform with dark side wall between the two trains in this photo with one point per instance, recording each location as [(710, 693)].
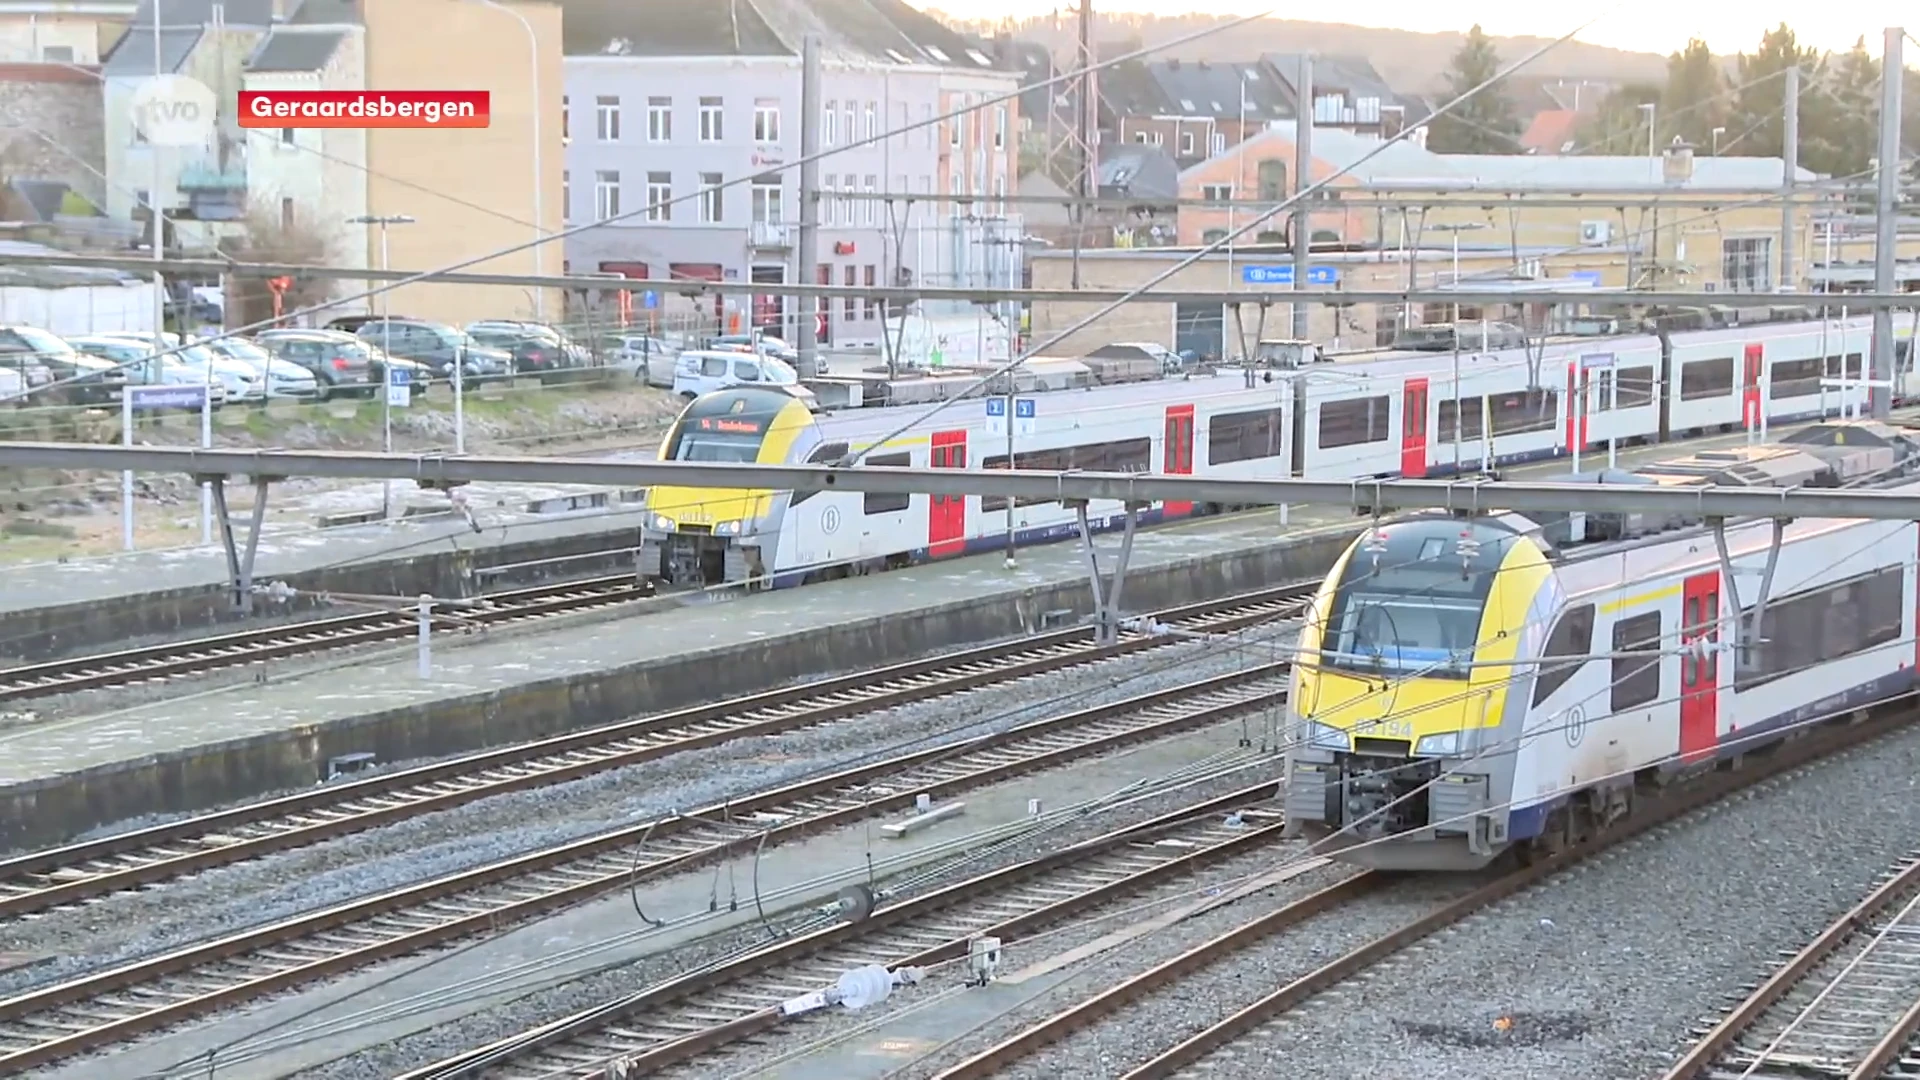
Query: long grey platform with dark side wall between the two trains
[(66, 777)]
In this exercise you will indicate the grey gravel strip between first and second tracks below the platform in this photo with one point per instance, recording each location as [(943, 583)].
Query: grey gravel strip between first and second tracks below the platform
[(235, 898)]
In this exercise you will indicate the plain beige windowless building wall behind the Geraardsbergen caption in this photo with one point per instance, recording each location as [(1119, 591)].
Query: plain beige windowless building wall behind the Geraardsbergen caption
[(456, 45)]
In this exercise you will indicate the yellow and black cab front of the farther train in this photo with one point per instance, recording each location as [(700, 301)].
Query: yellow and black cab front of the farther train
[(709, 537)]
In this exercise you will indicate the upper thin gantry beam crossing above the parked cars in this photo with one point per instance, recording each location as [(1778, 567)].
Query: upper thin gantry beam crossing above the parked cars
[(214, 268)]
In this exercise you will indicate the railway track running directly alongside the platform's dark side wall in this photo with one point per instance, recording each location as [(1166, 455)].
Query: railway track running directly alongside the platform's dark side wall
[(85, 871)]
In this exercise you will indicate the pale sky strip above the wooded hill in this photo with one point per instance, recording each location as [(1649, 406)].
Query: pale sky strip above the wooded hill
[(1641, 26)]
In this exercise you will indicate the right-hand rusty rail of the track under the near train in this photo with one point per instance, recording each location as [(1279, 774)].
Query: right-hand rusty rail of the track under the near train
[(1710, 789)]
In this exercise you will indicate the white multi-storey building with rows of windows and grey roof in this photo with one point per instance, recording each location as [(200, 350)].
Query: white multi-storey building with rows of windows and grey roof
[(688, 95)]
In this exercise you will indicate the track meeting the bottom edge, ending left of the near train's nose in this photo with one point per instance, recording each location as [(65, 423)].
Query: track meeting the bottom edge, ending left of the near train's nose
[(694, 1021)]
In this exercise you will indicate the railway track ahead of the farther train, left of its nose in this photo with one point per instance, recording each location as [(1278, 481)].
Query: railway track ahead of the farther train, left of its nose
[(158, 664)]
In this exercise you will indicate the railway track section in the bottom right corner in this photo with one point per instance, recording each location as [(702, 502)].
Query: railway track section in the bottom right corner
[(1848, 1006)]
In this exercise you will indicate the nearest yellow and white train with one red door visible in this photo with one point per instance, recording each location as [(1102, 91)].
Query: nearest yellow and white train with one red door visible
[(1474, 685)]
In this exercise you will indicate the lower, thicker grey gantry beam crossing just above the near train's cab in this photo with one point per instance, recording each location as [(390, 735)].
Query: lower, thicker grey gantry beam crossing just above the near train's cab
[(1364, 497)]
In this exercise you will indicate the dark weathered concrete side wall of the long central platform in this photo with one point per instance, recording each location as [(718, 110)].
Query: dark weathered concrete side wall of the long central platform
[(59, 810)]
